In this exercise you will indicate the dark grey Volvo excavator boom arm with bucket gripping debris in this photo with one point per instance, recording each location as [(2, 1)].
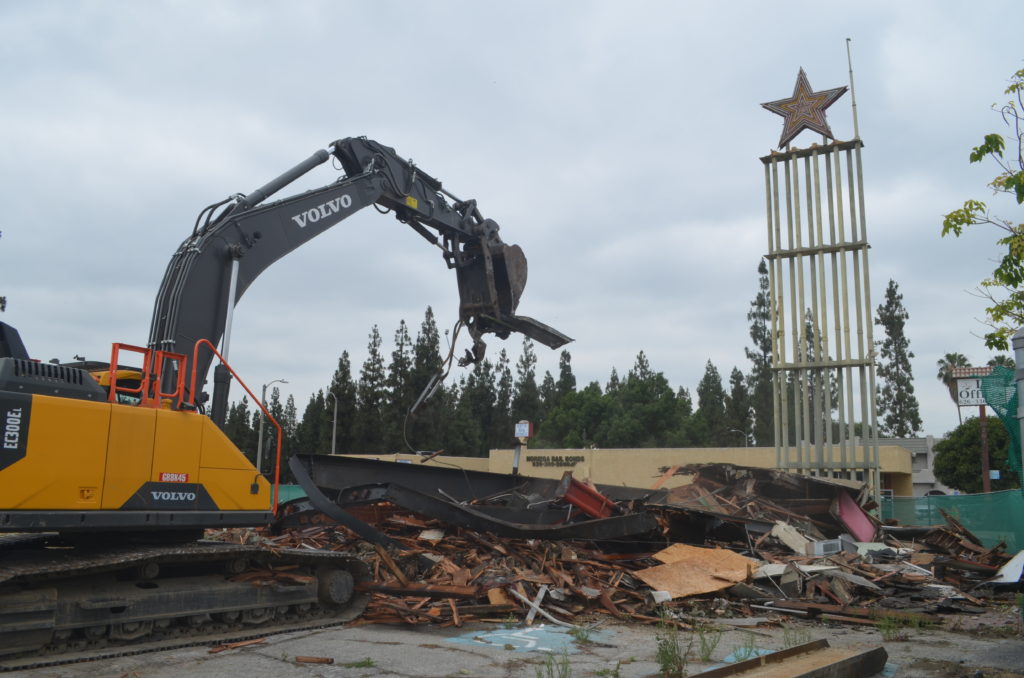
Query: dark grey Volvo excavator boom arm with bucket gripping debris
[(217, 265)]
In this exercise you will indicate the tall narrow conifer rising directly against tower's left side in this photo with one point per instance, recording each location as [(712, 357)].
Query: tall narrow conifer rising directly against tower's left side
[(759, 379)]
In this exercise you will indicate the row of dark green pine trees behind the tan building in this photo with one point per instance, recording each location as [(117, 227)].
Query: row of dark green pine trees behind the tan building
[(477, 414)]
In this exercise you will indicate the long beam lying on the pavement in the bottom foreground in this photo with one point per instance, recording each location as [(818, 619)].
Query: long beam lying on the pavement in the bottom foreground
[(814, 660)]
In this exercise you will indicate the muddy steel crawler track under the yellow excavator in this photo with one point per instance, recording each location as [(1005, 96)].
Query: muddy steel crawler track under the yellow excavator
[(62, 605)]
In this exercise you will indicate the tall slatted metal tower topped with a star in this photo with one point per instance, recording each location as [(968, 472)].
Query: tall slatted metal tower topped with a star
[(823, 346)]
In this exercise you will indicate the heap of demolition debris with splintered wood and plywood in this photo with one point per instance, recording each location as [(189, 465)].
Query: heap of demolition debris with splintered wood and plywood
[(736, 543)]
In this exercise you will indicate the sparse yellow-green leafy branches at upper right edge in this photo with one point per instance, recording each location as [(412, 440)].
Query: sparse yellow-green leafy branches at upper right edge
[(1003, 290)]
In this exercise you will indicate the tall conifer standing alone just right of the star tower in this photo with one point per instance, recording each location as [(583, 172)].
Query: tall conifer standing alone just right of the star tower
[(898, 405)]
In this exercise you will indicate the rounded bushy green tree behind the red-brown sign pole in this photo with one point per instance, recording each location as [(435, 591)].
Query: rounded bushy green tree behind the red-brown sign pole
[(958, 457)]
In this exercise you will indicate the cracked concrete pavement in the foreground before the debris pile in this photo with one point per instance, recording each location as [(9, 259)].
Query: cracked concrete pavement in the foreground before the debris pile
[(613, 650)]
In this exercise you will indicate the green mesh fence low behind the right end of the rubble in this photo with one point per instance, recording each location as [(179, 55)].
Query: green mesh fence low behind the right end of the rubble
[(998, 517)]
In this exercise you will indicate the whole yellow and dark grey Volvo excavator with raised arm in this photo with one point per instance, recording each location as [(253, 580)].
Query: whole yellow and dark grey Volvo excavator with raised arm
[(110, 475)]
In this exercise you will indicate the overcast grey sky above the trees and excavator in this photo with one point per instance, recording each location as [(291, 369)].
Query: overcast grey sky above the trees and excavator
[(618, 144)]
